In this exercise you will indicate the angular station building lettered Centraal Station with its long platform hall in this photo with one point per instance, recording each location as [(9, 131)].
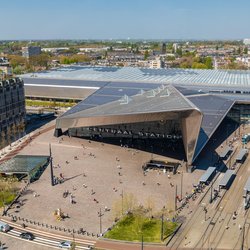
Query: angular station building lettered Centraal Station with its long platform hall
[(158, 107)]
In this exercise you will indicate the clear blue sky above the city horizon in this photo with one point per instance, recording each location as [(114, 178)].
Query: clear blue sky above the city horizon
[(124, 19)]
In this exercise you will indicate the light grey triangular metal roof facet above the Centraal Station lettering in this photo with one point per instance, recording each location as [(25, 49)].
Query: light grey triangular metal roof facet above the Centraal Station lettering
[(164, 98)]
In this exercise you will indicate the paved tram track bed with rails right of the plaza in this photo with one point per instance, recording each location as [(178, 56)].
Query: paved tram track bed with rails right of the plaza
[(220, 219)]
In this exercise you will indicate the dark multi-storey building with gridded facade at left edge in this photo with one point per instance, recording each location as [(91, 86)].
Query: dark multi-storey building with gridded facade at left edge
[(12, 110)]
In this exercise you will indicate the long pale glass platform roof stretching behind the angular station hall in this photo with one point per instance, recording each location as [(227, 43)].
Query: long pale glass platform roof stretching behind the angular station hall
[(178, 76)]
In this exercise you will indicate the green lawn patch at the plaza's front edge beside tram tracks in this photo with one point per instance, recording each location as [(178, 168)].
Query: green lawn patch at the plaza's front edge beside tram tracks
[(131, 226)]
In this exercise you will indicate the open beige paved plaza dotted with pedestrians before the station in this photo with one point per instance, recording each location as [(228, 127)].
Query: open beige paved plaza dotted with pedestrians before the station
[(96, 175)]
